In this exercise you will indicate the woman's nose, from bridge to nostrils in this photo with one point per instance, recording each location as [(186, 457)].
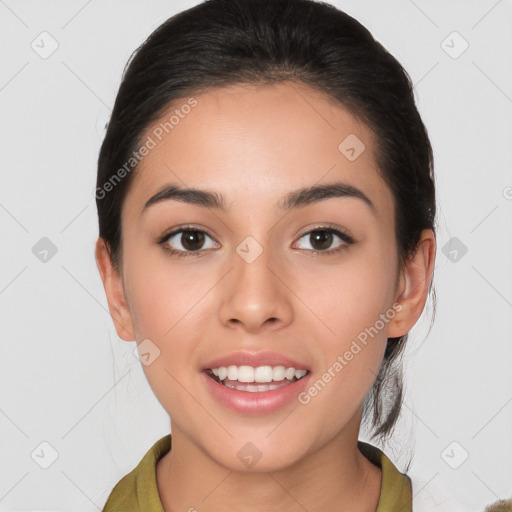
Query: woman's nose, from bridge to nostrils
[(256, 295)]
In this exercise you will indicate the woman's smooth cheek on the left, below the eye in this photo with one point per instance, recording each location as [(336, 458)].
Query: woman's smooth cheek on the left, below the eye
[(165, 304)]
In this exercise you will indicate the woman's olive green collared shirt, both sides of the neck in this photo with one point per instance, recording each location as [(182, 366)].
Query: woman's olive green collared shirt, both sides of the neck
[(138, 492)]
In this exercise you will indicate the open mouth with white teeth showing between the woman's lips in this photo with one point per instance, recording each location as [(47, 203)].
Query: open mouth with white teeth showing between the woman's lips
[(255, 379)]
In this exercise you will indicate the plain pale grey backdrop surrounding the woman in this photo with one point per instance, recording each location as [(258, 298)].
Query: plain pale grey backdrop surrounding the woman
[(68, 380)]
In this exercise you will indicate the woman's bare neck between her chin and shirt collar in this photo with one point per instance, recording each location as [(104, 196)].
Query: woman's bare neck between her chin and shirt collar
[(335, 476)]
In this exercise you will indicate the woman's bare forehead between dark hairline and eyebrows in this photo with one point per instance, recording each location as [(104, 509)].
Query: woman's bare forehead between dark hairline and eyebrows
[(254, 144)]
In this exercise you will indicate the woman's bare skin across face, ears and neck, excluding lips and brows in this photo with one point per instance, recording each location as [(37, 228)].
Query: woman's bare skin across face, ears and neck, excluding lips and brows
[(254, 144)]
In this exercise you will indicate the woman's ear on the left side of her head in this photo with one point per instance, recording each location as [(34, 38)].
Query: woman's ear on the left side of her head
[(113, 284)]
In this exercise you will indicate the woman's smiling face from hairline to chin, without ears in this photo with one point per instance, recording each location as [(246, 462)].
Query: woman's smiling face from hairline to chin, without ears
[(250, 281)]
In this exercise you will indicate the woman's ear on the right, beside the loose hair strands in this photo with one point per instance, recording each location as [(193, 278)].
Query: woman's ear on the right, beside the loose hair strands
[(414, 283)]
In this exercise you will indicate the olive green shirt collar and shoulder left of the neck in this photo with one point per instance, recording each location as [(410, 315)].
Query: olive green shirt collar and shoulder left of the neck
[(137, 491)]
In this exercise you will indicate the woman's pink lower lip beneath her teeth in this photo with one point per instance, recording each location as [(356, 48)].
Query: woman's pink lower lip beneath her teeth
[(260, 402)]
